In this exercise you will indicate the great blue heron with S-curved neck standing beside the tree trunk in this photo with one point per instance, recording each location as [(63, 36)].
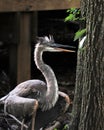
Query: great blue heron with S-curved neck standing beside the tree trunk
[(28, 96)]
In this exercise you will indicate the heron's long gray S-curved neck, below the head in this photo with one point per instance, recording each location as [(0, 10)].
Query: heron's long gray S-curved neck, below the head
[(51, 81)]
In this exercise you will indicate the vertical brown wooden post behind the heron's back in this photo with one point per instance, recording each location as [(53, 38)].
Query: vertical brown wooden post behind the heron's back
[(24, 48)]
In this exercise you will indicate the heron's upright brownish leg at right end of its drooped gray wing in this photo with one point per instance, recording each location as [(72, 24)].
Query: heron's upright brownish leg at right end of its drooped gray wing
[(34, 114)]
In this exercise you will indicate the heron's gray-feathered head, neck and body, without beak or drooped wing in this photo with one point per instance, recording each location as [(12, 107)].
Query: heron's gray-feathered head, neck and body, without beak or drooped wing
[(45, 93)]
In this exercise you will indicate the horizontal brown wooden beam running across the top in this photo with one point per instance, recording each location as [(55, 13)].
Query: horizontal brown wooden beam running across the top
[(36, 5)]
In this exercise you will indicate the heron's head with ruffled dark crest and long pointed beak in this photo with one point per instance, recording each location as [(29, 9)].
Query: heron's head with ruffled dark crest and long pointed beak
[(48, 44)]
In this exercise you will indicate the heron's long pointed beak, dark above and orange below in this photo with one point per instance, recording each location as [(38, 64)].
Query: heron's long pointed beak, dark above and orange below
[(60, 47)]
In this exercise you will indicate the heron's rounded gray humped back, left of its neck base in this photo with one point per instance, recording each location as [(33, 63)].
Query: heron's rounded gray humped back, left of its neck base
[(29, 88)]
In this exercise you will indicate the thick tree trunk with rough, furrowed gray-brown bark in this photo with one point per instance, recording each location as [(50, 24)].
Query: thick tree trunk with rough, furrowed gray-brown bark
[(88, 105)]
